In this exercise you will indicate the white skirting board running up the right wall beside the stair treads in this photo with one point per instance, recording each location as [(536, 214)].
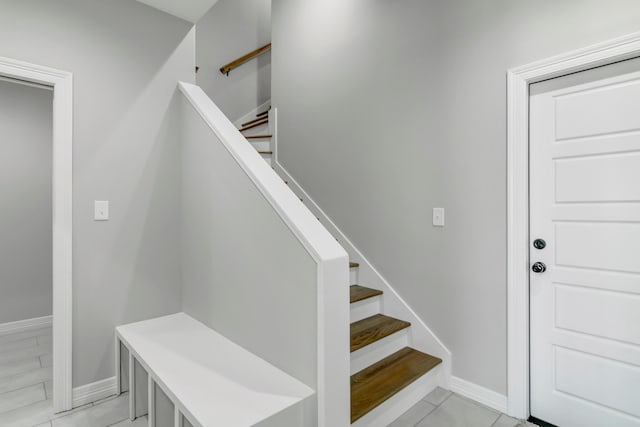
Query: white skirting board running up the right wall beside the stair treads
[(423, 338)]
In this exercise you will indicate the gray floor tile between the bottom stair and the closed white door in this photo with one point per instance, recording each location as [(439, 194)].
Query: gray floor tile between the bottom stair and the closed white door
[(459, 412)]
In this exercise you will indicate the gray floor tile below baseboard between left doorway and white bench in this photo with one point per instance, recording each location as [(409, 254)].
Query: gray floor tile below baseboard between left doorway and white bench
[(105, 414)]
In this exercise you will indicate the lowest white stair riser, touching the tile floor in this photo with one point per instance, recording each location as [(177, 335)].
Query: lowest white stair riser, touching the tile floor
[(397, 405)]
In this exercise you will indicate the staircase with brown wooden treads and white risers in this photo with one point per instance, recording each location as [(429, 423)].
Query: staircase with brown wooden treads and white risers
[(387, 375)]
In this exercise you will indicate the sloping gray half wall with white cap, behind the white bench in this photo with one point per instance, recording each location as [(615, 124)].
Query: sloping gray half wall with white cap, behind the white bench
[(258, 266)]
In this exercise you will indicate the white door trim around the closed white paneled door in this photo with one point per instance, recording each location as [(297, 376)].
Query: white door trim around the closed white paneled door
[(518, 81)]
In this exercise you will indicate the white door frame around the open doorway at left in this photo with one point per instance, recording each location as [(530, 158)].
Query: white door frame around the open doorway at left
[(62, 84)]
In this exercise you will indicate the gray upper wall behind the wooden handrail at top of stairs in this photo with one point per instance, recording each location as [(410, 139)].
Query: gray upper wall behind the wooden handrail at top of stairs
[(229, 30)]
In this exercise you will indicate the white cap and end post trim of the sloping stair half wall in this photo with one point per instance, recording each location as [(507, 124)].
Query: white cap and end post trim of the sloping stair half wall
[(330, 257)]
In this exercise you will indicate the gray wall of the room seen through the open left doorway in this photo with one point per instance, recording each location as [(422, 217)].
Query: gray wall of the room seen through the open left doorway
[(25, 202)]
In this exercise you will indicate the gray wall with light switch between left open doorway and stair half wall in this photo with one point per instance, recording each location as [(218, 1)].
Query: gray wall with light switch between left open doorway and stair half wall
[(126, 59)]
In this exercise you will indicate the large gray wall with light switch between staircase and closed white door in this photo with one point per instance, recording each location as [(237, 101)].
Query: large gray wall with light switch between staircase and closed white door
[(405, 104)]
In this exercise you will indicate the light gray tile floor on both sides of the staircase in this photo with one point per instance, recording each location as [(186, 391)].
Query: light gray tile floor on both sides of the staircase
[(25, 396)]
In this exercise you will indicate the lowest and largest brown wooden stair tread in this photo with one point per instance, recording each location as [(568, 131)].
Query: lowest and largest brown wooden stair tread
[(380, 381)]
